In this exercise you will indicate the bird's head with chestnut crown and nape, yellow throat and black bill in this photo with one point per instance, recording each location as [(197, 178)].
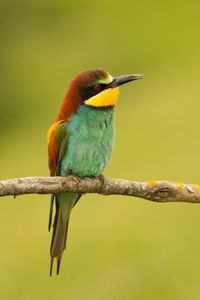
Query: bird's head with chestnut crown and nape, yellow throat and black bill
[(96, 88)]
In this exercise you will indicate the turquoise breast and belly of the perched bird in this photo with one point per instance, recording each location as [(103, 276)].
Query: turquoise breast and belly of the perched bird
[(90, 142)]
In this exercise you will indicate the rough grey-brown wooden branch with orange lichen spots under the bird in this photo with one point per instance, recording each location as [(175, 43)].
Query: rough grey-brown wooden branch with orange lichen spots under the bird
[(159, 191)]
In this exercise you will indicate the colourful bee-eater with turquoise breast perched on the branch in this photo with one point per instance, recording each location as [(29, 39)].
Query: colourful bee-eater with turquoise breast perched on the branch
[(80, 143)]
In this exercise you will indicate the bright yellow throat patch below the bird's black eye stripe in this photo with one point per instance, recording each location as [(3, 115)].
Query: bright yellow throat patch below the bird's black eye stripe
[(107, 97)]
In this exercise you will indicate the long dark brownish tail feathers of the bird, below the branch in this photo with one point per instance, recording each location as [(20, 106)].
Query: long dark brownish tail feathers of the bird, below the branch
[(59, 237)]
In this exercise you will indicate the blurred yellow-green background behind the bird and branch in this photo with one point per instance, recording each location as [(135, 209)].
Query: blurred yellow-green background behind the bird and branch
[(118, 247)]
